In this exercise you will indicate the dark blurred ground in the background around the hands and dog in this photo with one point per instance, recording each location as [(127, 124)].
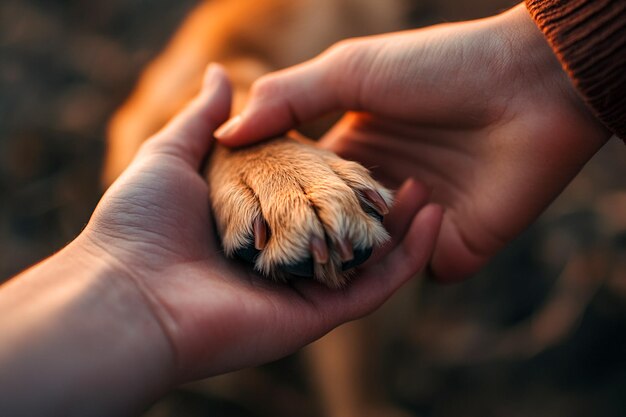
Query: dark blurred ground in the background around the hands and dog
[(541, 331)]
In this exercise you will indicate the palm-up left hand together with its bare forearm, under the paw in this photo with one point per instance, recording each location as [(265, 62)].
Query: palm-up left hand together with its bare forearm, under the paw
[(144, 298)]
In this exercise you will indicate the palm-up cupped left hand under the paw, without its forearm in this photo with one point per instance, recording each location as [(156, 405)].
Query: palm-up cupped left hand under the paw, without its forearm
[(154, 225)]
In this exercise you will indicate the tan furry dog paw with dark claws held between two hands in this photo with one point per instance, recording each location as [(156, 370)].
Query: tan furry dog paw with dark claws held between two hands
[(293, 209)]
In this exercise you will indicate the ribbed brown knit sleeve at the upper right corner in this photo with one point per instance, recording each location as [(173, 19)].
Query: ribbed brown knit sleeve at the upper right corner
[(589, 38)]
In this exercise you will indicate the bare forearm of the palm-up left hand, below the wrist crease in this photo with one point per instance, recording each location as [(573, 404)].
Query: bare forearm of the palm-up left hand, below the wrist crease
[(76, 341)]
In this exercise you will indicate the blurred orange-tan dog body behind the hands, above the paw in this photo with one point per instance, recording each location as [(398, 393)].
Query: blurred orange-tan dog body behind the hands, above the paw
[(248, 37)]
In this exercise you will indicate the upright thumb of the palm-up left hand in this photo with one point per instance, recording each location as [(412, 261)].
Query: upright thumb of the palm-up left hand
[(188, 135)]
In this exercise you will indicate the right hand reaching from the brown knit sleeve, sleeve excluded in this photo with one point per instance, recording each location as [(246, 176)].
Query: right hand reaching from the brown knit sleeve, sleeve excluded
[(481, 112)]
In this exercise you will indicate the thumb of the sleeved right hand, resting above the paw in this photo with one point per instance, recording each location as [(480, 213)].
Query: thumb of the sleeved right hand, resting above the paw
[(282, 100)]
